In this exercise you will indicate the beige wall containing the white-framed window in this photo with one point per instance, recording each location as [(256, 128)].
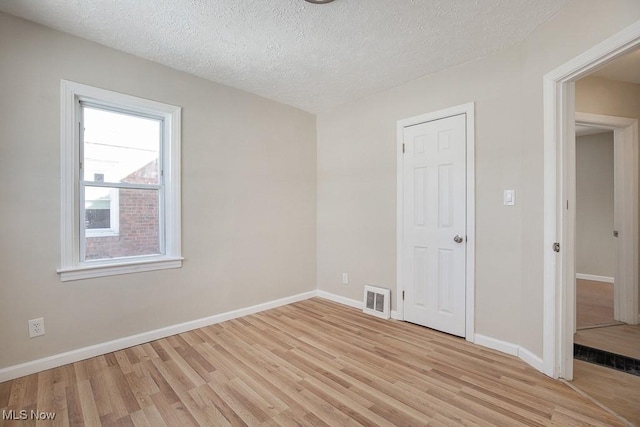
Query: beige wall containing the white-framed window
[(248, 206)]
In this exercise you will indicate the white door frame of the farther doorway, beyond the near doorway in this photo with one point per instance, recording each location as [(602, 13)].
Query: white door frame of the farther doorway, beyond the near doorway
[(625, 143)]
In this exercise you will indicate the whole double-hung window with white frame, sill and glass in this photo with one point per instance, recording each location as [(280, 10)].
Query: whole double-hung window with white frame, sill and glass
[(120, 184)]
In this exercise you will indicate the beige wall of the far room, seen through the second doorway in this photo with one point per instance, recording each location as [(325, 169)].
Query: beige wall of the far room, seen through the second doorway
[(595, 244)]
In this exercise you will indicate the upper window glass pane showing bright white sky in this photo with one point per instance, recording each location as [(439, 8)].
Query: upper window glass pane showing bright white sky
[(120, 147)]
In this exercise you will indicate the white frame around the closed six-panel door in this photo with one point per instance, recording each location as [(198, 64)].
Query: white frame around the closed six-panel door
[(469, 110)]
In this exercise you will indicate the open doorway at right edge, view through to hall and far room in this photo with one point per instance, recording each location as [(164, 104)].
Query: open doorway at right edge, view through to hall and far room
[(606, 343)]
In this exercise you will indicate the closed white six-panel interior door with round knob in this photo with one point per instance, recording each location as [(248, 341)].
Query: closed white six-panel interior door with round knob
[(434, 221)]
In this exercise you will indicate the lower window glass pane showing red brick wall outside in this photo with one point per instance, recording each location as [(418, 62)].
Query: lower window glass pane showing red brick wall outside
[(137, 216)]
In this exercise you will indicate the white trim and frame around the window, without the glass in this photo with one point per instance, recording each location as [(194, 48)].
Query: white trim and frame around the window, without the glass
[(71, 268)]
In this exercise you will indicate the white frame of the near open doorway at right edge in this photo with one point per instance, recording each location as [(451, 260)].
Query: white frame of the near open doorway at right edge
[(559, 189)]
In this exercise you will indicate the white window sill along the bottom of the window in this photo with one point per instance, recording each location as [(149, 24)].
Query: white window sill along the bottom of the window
[(88, 271)]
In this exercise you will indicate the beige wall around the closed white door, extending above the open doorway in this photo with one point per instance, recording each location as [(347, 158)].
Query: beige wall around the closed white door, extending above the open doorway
[(357, 171)]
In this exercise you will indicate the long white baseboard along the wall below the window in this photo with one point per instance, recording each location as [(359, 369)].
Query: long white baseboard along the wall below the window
[(72, 356)]
